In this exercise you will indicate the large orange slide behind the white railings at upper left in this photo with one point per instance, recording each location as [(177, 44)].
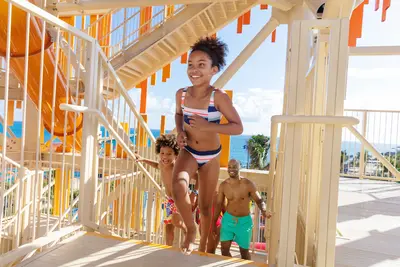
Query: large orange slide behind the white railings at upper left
[(17, 64)]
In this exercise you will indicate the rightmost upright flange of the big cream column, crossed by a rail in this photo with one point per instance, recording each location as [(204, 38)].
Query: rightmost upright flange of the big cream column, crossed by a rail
[(329, 185)]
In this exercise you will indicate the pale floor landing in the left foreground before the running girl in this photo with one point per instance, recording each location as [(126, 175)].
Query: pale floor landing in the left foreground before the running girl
[(92, 249)]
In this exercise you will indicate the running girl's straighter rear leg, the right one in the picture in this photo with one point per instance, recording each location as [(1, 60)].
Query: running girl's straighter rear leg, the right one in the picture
[(208, 183)]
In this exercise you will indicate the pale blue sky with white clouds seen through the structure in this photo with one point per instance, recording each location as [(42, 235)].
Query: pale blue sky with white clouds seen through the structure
[(258, 85)]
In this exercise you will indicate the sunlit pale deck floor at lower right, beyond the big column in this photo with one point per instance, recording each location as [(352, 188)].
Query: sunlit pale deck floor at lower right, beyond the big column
[(369, 220)]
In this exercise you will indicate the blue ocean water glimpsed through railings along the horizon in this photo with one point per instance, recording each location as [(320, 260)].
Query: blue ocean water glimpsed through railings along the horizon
[(238, 143)]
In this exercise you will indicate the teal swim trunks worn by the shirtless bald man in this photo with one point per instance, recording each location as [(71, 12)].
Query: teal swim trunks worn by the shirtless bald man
[(238, 229)]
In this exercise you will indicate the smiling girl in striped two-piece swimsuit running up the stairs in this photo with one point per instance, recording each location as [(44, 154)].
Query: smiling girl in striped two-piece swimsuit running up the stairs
[(199, 109)]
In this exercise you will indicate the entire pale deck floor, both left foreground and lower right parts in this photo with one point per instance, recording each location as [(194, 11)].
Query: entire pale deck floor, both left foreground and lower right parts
[(368, 220)]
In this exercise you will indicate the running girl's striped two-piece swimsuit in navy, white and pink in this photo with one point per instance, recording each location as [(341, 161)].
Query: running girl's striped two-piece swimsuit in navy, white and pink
[(211, 114)]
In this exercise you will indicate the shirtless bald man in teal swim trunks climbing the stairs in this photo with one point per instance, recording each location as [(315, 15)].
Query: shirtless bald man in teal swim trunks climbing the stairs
[(237, 223)]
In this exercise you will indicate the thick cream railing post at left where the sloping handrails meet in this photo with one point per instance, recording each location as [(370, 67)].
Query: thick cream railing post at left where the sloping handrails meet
[(89, 157)]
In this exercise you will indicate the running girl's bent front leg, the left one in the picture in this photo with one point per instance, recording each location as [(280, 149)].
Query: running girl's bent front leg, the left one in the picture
[(185, 167)]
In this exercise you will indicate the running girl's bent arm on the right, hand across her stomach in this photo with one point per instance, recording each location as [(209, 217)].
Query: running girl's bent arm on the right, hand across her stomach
[(224, 104)]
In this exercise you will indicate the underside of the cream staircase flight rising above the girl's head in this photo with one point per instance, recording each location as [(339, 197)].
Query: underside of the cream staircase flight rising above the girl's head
[(174, 38)]
